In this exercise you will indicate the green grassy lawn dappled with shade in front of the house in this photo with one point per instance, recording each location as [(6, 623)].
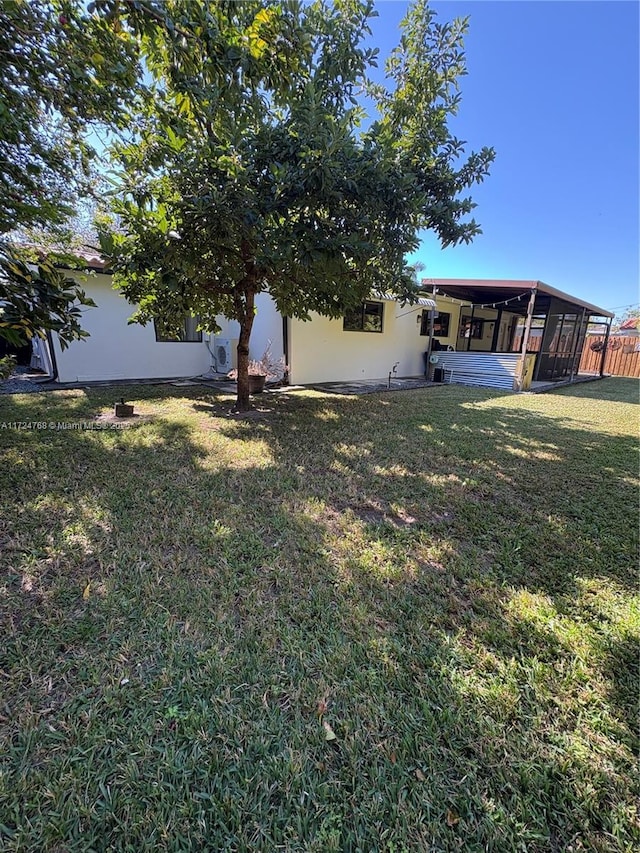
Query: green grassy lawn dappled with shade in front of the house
[(399, 622)]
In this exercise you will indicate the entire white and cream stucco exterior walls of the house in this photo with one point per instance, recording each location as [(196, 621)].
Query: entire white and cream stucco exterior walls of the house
[(319, 350)]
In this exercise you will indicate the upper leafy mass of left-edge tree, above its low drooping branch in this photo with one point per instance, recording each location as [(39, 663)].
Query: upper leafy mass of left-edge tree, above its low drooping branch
[(63, 71)]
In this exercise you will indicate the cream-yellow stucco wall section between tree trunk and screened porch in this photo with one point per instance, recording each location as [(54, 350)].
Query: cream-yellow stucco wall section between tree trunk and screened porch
[(321, 351)]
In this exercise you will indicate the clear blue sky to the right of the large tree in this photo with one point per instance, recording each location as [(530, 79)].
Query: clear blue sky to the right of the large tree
[(553, 87)]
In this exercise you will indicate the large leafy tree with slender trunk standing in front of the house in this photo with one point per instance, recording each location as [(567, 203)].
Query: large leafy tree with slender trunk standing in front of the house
[(253, 169)]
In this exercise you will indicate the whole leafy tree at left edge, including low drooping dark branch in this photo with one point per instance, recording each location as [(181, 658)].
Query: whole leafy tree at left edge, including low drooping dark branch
[(65, 69)]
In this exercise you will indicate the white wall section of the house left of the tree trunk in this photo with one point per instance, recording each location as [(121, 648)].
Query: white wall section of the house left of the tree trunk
[(116, 350)]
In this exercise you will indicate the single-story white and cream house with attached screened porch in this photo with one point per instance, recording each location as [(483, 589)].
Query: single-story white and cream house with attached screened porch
[(497, 333)]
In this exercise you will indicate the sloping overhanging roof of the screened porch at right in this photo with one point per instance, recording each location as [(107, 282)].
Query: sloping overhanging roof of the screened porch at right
[(512, 294)]
